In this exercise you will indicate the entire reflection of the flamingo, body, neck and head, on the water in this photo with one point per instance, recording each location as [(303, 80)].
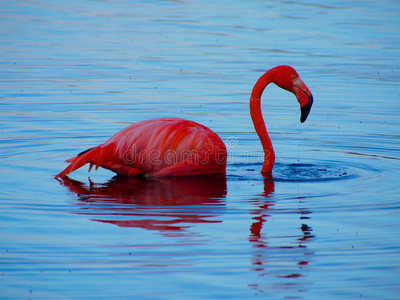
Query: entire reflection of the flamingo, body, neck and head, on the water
[(172, 205)]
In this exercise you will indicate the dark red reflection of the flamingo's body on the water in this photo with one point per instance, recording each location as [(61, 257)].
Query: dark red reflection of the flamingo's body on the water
[(167, 205)]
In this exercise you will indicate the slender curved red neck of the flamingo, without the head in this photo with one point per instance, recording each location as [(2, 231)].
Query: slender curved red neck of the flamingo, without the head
[(258, 121)]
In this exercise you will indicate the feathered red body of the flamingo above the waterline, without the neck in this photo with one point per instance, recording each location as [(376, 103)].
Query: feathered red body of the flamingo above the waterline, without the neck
[(158, 147)]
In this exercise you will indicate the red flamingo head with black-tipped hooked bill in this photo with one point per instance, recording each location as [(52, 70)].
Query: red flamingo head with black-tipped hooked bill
[(287, 78)]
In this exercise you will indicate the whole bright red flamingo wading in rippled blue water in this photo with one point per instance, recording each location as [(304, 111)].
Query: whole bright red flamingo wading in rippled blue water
[(179, 147)]
